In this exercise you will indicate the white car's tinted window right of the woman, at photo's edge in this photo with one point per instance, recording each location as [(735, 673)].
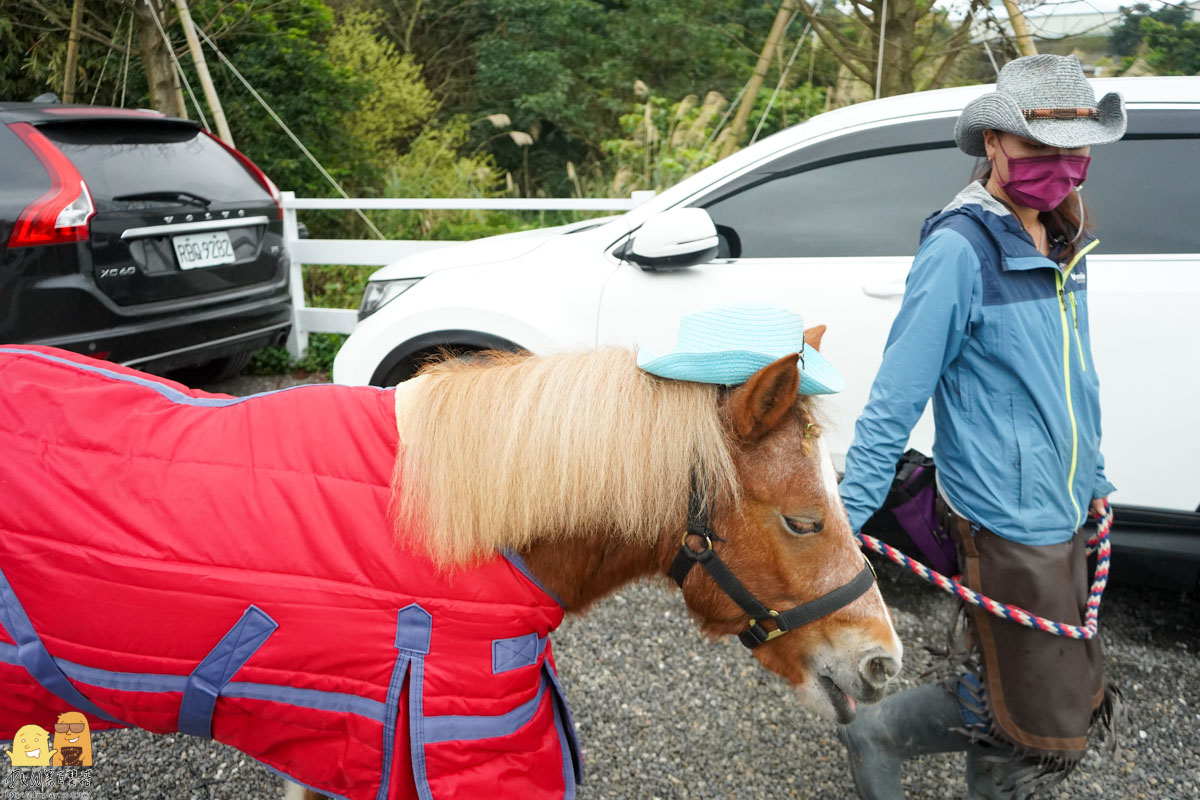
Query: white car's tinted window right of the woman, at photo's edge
[(1143, 196)]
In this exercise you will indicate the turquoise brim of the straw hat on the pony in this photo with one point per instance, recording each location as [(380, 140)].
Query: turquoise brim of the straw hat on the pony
[(735, 368)]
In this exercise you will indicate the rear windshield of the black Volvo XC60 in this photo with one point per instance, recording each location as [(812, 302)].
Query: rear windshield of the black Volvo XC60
[(119, 159)]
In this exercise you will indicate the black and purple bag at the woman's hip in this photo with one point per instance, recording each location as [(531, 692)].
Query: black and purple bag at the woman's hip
[(908, 520)]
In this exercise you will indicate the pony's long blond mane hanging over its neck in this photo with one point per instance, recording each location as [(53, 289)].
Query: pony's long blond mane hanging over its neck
[(511, 450)]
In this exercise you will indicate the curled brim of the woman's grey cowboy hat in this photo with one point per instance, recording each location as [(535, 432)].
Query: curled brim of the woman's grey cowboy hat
[(999, 112)]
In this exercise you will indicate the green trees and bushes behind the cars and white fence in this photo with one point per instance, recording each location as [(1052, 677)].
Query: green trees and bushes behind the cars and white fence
[(487, 98)]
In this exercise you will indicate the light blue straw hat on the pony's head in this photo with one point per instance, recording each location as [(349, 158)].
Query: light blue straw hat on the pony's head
[(727, 345)]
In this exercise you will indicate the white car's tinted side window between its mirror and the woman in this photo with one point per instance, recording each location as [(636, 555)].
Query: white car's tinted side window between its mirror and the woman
[(871, 206)]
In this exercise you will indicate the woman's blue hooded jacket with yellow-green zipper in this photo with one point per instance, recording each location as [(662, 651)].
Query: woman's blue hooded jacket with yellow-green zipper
[(998, 334)]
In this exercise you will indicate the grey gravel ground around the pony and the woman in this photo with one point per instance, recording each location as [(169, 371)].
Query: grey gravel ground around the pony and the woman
[(664, 714)]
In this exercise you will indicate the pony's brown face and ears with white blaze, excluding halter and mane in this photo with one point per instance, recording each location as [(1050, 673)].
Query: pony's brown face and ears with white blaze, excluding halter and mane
[(789, 543)]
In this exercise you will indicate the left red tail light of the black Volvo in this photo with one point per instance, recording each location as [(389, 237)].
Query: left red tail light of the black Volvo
[(62, 214)]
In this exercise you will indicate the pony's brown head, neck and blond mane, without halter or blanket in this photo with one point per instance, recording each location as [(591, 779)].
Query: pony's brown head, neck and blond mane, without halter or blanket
[(584, 465)]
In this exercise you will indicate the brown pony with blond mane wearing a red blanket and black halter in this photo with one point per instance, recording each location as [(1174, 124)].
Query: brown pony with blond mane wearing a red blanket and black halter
[(509, 486)]
